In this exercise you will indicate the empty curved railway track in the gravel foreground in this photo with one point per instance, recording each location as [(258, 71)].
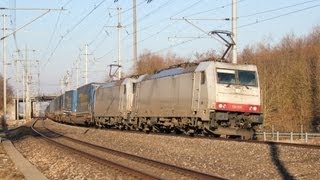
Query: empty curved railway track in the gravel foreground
[(130, 164)]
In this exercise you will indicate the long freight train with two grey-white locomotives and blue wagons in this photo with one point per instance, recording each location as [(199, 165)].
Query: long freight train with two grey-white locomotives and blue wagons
[(207, 98)]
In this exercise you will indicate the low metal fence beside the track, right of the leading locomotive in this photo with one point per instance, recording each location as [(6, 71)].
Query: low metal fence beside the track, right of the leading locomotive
[(288, 136)]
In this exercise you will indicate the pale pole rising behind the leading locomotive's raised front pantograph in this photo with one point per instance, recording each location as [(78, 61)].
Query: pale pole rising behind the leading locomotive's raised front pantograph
[(234, 31)]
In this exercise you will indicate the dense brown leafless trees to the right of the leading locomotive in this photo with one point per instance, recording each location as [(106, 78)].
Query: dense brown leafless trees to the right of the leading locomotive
[(290, 80)]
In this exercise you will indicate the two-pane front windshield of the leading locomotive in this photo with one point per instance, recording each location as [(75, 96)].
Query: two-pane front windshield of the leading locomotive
[(239, 77)]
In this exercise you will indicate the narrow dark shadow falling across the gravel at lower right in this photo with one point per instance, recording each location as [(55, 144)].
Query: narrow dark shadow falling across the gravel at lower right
[(274, 152)]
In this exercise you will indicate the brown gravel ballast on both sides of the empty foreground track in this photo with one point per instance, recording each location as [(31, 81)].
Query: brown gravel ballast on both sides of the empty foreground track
[(228, 159)]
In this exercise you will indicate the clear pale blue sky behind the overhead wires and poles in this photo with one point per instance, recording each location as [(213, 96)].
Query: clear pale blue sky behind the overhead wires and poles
[(59, 36)]
